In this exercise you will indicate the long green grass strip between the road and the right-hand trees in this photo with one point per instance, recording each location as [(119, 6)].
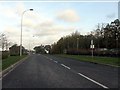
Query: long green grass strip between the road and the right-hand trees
[(114, 61)]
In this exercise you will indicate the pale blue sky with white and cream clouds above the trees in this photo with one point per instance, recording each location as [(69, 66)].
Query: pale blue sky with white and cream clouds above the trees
[(49, 21)]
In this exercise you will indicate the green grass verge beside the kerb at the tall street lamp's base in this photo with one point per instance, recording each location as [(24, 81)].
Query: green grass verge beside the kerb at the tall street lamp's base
[(11, 60)]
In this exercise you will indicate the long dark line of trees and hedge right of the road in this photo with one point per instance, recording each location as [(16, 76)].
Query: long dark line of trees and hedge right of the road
[(106, 40)]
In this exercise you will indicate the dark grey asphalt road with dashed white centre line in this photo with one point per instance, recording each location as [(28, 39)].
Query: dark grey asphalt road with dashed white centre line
[(49, 71)]
